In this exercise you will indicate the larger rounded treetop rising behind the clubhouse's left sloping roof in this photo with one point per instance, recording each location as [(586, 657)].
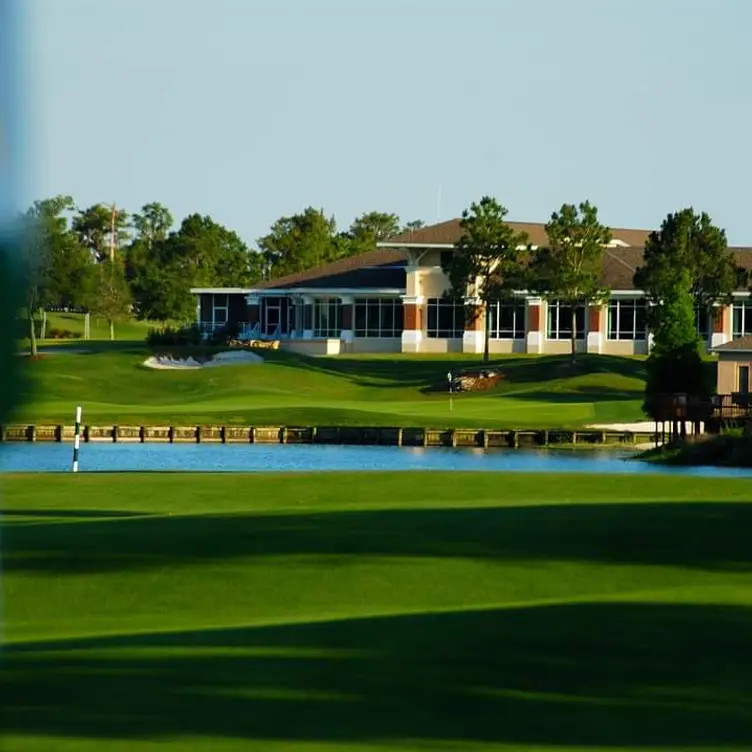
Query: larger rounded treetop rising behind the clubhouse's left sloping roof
[(300, 242)]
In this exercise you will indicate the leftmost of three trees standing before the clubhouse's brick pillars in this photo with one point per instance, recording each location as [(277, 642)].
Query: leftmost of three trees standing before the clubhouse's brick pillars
[(487, 258)]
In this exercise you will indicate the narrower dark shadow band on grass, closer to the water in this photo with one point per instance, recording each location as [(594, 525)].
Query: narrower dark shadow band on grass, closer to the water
[(697, 535)]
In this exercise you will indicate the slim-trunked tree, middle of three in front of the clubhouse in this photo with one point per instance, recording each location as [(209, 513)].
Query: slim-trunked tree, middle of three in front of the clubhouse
[(568, 268)]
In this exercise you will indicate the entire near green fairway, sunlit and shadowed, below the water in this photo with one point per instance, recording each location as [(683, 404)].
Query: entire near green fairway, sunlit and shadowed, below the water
[(374, 612)]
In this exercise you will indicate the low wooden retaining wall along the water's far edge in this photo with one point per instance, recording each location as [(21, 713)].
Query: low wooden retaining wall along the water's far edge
[(335, 435)]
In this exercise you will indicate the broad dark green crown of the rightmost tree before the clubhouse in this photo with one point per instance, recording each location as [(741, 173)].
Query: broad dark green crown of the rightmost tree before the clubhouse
[(689, 243)]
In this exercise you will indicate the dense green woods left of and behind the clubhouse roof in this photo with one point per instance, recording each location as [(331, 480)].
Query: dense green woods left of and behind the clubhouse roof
[(117, 264)]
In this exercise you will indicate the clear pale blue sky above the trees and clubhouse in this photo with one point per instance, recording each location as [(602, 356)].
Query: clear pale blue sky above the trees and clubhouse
[(251, 109)]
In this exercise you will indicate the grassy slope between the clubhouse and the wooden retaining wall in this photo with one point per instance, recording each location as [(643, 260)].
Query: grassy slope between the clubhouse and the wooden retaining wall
[(379, 390)]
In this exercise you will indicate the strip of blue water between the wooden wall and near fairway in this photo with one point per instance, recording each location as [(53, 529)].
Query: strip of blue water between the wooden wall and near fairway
[(254, 458)]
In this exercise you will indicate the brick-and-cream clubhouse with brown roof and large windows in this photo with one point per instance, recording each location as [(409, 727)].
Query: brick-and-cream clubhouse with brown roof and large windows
[(390, 300)]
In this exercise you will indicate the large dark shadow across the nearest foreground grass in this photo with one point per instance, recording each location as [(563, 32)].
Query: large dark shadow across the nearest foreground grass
[(589, 674)]
